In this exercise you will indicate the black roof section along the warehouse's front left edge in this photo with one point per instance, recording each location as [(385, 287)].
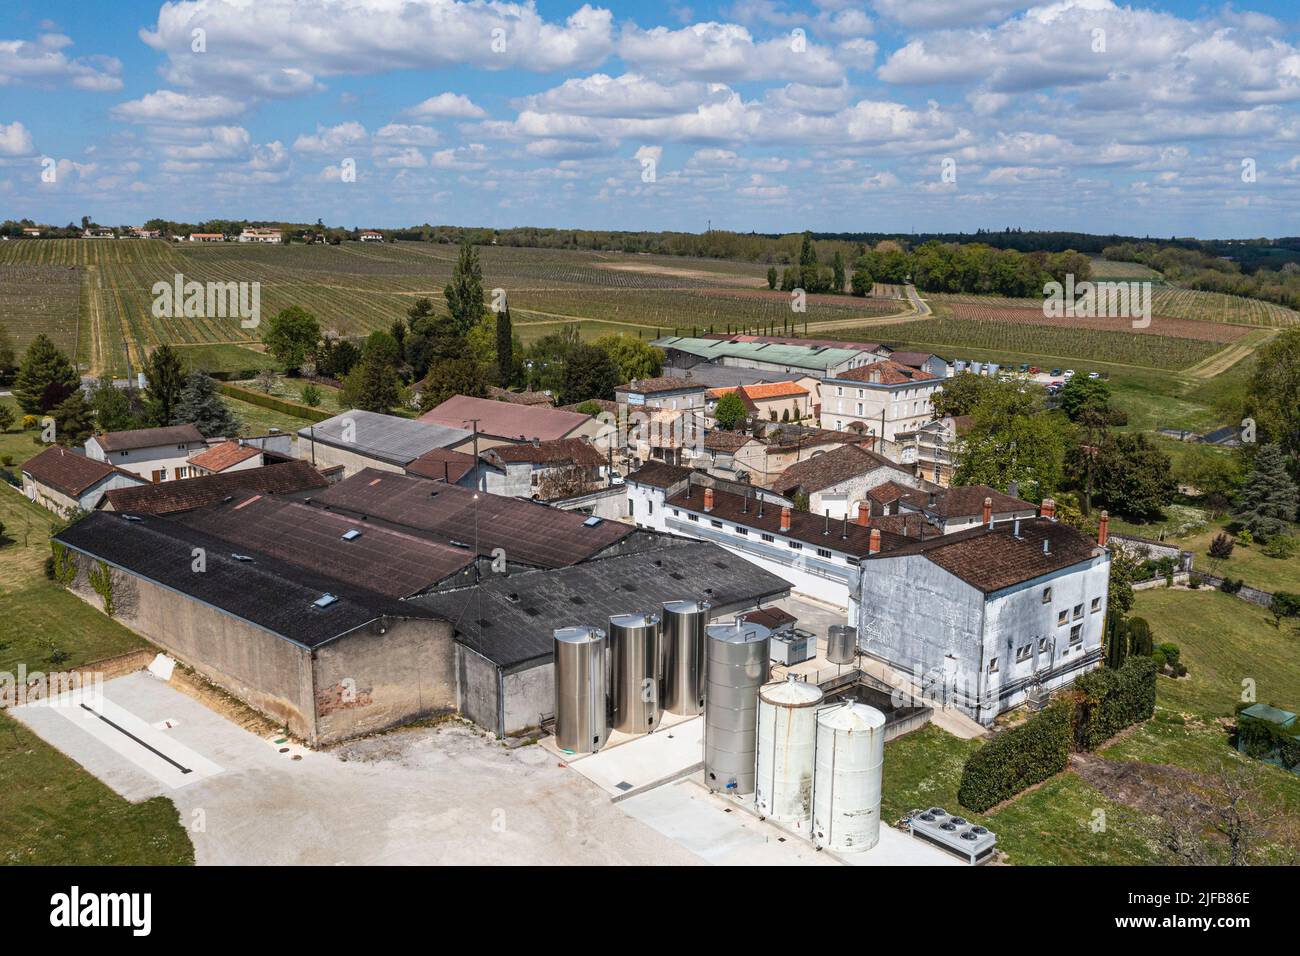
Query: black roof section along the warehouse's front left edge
[(266, 591)]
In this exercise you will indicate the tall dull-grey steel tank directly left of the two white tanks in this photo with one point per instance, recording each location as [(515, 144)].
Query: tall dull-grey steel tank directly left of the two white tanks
[(738, 663)]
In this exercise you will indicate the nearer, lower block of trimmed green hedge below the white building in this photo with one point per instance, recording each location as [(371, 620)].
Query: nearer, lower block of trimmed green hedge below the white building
[(1017, 759)]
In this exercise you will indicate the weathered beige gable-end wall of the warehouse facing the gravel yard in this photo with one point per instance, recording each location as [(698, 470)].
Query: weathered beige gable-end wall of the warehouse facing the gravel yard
[(366, 681)]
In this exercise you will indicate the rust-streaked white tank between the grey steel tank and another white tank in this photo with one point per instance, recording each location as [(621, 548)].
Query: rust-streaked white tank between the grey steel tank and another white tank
[(787, 741)]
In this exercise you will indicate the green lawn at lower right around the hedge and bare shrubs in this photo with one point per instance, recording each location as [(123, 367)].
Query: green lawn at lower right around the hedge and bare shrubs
[(1224, 642)]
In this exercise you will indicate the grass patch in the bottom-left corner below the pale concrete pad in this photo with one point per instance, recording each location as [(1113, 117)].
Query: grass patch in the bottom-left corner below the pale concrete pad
[(53, 814)]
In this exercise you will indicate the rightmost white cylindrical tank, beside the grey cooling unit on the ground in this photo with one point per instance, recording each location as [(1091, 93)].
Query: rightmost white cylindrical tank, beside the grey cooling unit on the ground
[(851, 749)]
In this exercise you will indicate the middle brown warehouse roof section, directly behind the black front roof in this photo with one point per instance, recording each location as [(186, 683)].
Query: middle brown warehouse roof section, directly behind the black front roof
[(380, 560)]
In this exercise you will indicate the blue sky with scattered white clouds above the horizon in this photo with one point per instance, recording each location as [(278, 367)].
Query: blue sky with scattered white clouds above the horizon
[(1164, 118)]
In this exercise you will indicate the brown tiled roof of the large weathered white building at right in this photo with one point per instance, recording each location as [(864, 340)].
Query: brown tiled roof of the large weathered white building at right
[(991, 560)]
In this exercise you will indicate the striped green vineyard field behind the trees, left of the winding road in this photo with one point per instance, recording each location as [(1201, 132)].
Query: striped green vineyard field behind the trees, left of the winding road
[(105, 288)]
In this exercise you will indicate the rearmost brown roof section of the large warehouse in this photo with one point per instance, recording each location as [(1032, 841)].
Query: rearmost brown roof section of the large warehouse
[(528, 533)]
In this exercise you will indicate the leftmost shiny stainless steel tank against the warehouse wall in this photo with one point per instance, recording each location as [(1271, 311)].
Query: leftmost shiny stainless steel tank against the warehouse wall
[(582, 708)]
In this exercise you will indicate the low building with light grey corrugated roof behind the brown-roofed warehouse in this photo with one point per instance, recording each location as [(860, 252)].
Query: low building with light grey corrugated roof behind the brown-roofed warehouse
[(358, 440)]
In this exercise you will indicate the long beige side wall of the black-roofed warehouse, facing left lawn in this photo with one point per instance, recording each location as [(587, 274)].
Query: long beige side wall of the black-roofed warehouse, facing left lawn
[(267, 672)]
